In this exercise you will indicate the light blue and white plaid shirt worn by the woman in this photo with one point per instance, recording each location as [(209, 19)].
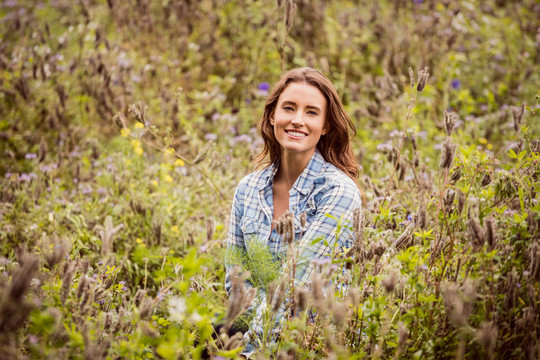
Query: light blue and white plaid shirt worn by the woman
[(321, 189)]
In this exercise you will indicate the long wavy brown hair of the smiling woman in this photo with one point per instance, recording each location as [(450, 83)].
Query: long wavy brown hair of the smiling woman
[(335, 145)]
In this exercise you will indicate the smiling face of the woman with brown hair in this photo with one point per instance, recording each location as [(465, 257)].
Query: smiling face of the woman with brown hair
[(299, 118)]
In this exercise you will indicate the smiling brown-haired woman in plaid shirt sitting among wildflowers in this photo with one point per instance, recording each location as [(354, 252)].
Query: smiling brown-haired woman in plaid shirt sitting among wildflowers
[(311, 170)]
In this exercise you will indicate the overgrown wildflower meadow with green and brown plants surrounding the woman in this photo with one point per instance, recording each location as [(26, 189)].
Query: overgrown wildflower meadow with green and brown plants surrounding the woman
[(125, 127)]
